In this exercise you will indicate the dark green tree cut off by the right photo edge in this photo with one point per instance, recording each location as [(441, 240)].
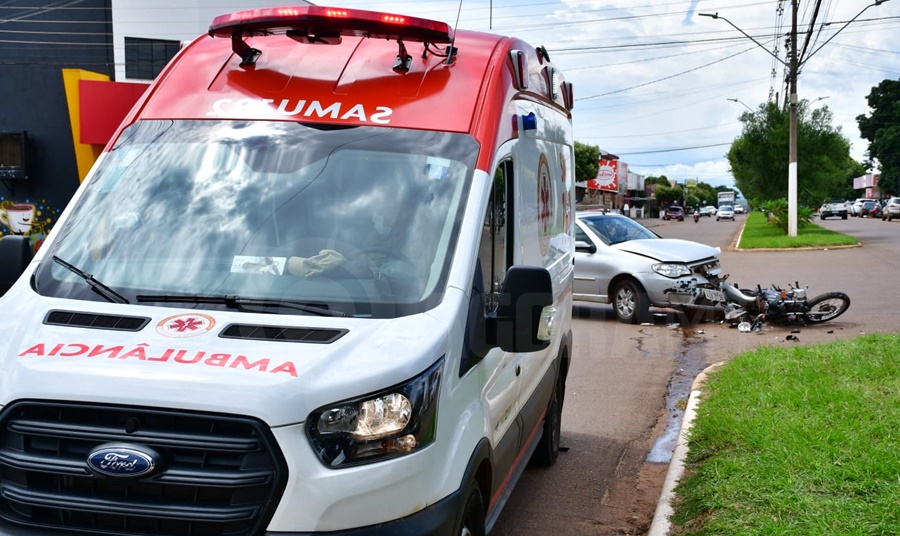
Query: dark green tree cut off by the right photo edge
[(882, 129)]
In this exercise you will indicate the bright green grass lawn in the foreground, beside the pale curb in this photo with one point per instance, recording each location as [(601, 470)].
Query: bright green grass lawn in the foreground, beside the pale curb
[(800, 440)]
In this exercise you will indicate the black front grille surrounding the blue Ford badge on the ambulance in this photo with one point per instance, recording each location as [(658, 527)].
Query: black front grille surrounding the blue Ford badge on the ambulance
[(215, 474)]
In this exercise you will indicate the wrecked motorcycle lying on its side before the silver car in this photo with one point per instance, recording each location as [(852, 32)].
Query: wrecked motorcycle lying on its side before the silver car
[(751, 308)]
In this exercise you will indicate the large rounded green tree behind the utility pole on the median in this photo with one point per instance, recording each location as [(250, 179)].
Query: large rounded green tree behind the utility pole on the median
[(759, 156)]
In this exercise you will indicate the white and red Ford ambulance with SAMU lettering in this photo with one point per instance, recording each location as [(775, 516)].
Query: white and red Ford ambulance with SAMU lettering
[(318, 282)]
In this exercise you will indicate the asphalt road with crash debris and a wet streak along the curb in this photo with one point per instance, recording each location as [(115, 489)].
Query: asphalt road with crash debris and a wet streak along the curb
[(628, 383)]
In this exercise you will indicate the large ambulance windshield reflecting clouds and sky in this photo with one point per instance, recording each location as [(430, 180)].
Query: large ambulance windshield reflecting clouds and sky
[(359, 221)]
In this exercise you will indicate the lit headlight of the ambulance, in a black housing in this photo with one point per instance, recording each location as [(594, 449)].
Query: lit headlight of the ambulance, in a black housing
[(375, 427)]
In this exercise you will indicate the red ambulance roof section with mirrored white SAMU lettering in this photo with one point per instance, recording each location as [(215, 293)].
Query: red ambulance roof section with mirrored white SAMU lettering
[(297, 73)]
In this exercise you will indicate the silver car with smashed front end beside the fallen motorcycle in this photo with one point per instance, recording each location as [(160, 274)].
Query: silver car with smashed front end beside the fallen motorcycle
[(619, 261)]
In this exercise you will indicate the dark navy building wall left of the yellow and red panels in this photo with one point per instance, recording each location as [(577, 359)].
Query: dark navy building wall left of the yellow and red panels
[(36, 43)]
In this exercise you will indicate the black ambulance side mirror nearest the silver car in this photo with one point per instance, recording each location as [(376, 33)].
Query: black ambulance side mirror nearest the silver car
[(516, 327)]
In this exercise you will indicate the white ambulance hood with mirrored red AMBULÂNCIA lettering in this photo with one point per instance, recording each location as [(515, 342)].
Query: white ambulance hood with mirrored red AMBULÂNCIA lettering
[(181, 360)]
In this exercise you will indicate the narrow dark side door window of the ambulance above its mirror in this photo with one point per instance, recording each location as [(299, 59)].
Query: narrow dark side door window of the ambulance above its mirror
[(494, 253)]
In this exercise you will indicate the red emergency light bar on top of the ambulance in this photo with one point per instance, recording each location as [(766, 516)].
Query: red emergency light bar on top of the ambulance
[(325, 22)]
